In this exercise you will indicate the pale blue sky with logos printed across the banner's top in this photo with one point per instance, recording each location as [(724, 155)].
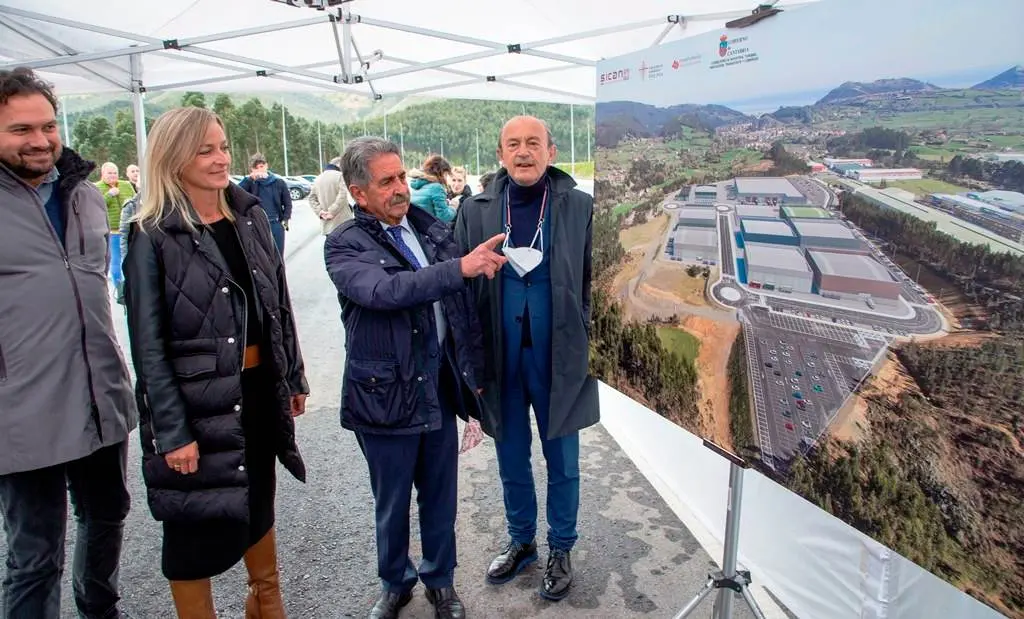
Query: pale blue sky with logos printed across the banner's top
[(804, 53)]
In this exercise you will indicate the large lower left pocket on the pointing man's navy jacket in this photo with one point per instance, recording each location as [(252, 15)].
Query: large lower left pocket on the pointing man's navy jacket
[(373, 394)]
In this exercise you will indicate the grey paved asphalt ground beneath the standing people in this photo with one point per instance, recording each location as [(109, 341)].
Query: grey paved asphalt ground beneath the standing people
[(635, 559)]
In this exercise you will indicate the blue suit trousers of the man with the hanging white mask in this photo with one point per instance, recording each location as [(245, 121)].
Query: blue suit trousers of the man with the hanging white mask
[(527, 383)]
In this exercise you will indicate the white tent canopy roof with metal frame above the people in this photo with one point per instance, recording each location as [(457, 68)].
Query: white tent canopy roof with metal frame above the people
[(395, 49)]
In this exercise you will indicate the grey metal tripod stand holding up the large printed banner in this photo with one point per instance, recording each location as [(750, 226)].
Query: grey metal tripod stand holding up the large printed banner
[(728, 582)]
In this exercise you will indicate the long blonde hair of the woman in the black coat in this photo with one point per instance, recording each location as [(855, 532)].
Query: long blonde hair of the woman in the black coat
[(173, 144)]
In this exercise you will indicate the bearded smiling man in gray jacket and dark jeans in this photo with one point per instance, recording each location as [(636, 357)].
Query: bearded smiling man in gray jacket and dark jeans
[(66, 400)]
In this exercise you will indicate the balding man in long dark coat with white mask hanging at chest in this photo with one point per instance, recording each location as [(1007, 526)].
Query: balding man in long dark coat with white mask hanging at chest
[(537, 318)]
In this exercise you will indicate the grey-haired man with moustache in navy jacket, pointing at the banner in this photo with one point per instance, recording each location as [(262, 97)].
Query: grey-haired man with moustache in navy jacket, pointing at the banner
[(414, 362)]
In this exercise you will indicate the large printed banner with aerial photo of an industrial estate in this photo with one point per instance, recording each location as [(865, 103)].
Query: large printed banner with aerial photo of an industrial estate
[(822, 217)]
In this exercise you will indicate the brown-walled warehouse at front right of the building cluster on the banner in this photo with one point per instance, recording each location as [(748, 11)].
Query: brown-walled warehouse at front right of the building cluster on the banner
[(852, 276)]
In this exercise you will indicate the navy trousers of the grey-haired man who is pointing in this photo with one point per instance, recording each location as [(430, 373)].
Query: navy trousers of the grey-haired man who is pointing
[(429, 462)]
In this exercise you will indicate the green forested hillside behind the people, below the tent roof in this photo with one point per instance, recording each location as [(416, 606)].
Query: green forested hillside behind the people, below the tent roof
[(107, 133)]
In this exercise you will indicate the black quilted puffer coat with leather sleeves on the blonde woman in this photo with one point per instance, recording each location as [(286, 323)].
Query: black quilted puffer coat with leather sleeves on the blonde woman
[(187, 319)]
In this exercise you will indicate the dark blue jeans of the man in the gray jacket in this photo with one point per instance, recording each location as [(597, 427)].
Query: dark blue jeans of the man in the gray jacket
[(35, 512)]
